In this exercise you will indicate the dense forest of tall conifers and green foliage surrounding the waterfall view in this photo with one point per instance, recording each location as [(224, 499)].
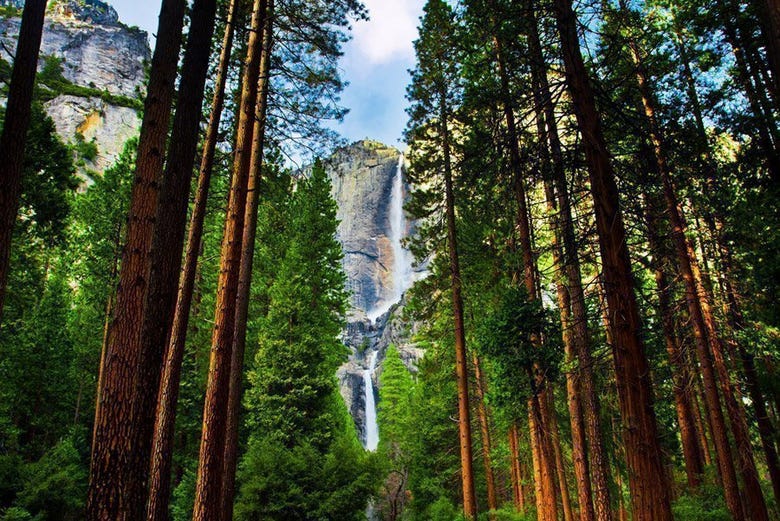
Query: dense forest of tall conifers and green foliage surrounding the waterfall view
[(594, 189)]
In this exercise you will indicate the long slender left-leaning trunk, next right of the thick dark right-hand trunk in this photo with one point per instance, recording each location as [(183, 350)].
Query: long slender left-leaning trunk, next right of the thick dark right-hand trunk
[(702, 319)]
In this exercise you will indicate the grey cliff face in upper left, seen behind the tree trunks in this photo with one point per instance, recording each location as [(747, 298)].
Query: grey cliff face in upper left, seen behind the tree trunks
[(98, 53)]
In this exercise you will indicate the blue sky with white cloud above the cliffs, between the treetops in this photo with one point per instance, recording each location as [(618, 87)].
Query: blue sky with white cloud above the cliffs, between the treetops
[(375, 64)]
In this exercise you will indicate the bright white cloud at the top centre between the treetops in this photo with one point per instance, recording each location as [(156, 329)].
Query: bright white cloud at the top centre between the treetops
[(390, 32)]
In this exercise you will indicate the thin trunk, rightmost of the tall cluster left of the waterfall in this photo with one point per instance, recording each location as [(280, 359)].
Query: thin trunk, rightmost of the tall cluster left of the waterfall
[(245, 271)]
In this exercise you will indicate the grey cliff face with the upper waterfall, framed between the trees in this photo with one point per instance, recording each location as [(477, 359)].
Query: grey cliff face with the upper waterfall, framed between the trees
[(369, 195)]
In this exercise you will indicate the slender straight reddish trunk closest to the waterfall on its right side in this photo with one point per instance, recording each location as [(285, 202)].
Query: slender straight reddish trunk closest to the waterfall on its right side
[(461, 360)]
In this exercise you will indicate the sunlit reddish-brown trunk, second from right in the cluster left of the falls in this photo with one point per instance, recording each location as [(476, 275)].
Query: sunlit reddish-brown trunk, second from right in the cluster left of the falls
[(208, 489)]
